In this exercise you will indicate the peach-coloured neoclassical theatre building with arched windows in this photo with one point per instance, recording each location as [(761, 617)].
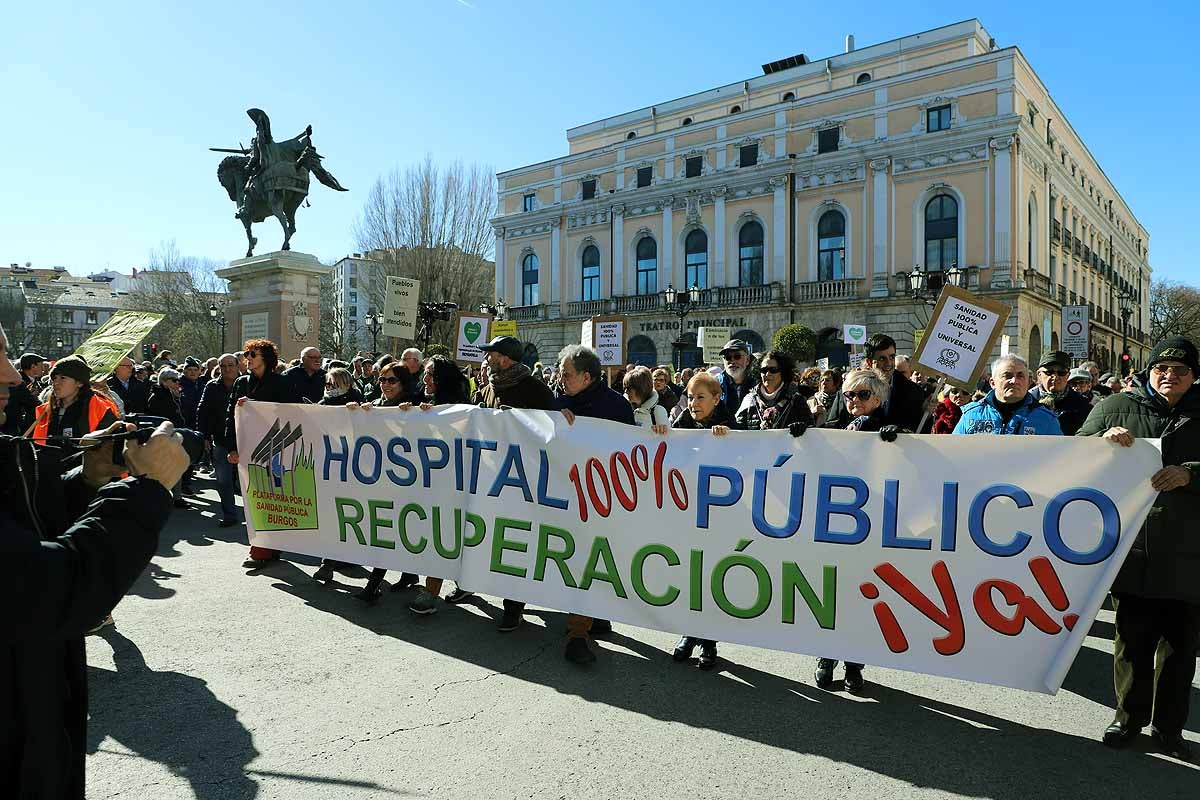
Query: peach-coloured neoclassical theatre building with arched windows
[(809, 194)]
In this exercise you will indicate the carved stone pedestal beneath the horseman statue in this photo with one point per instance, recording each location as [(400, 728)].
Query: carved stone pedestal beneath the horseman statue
[(275, 297)]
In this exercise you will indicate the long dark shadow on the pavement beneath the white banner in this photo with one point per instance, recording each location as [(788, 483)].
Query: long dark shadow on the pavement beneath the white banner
[(911, 738)]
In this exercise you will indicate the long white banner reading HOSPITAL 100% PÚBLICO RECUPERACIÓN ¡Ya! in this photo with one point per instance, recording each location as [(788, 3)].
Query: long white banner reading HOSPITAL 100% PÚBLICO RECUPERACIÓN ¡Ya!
[(949, 556)]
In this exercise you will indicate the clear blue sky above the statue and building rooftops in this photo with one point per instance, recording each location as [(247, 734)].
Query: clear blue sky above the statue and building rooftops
[(107, 111)]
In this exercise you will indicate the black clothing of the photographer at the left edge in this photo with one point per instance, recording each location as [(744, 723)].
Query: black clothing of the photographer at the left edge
[(55, 592)]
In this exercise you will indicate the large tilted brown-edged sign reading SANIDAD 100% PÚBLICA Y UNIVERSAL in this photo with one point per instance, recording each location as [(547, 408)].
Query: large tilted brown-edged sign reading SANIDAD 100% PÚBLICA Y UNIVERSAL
[(962, 333)]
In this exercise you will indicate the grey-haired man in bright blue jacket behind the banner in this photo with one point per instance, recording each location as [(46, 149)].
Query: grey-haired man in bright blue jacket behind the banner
[(1009, 408)]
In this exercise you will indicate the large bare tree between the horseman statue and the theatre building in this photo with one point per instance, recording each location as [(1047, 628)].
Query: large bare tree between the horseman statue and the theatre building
[(433, 225)]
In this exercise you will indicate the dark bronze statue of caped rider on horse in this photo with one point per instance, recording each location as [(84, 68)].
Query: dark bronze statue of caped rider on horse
[(272, 178)]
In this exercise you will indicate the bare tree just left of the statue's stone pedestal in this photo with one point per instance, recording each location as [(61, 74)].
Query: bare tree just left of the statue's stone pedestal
[(183, 288)]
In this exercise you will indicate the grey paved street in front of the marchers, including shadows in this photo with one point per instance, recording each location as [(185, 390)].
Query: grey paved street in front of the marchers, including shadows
[(219, 684)]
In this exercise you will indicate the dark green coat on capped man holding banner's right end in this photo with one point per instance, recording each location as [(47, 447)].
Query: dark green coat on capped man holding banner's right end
[(1165, 561)]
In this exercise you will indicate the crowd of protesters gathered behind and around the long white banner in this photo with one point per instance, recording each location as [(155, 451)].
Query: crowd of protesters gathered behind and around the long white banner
[(1156, 597)]
